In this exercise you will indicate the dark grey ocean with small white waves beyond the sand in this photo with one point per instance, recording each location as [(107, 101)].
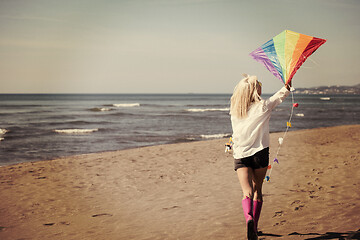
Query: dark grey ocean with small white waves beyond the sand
[(36, 127)]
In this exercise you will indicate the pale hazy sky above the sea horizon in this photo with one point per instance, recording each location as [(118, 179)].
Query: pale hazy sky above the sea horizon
[(168, 46)]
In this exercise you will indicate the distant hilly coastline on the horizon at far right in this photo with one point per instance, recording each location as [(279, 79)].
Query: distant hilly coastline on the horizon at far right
[(352, 90)]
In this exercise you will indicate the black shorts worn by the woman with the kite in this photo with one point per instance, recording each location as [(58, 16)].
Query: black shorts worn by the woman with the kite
[(258, 160)]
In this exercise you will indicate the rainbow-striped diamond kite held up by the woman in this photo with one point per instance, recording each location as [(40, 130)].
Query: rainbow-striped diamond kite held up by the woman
[(285, 53)]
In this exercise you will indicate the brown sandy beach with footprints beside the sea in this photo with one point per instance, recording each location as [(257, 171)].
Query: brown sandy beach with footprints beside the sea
[(186, 191)]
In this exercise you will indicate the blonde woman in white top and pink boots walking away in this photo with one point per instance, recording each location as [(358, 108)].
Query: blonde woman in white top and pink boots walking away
[(250, 116)]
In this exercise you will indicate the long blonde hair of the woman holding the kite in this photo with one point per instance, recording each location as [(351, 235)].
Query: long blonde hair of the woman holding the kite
[(245, 93)]
